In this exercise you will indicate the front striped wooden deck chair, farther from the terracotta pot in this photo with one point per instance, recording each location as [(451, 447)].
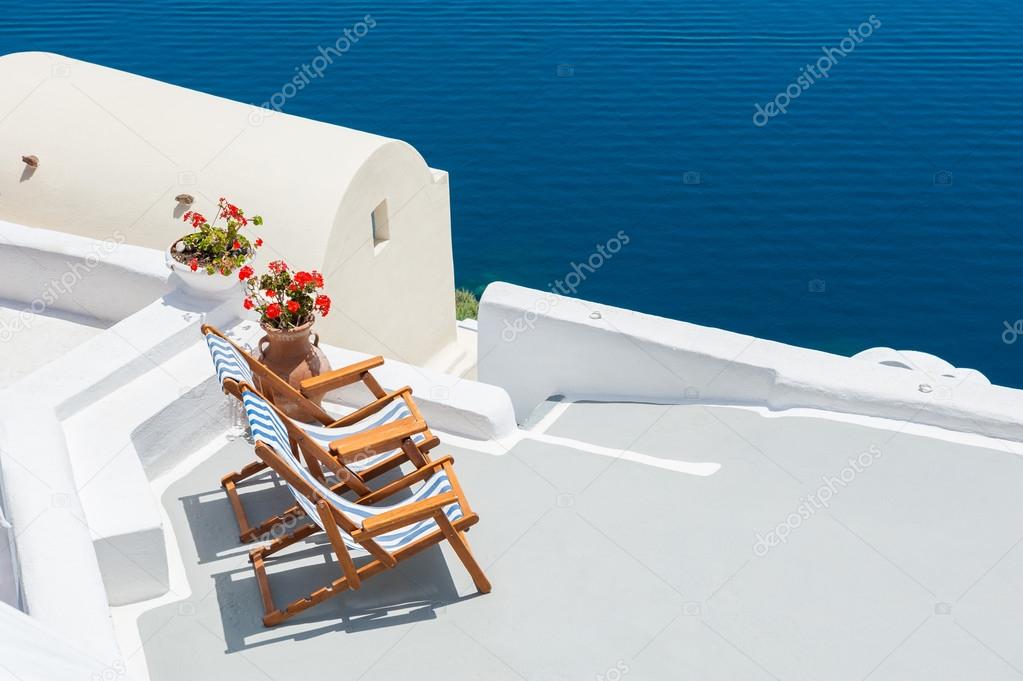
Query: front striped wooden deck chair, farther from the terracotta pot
[(389, 534)]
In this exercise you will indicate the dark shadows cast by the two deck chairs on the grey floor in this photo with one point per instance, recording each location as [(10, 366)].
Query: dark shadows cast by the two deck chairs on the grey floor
[(413, 592)]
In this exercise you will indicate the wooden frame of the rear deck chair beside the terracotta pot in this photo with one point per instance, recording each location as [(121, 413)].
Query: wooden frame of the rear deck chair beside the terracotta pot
[(348, 449)]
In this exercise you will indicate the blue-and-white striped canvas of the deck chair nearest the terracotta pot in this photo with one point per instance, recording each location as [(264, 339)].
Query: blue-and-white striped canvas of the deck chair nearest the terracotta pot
[(230, 364)]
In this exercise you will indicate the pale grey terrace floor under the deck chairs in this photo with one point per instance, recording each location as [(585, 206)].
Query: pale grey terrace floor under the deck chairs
[(608, 568)]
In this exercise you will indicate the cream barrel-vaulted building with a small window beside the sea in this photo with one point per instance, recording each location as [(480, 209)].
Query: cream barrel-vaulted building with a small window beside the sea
[(115, 151)]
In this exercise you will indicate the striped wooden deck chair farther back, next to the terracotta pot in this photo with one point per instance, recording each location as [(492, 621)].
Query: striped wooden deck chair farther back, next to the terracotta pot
[(369, 460)]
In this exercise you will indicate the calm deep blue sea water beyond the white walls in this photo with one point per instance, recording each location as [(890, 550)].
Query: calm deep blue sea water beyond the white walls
[(563, 123)]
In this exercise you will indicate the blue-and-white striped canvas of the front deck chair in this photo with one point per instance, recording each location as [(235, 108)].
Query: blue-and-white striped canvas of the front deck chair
[(269, 428)]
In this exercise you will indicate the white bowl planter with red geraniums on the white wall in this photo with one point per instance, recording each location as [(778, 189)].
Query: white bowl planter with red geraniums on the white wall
[(207, 258)]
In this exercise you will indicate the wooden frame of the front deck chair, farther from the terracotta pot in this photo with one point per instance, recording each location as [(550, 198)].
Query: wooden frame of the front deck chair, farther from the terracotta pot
[(334, 522)]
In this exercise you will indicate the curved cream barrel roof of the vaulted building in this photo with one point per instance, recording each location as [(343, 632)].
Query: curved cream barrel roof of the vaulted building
[(117, 148)]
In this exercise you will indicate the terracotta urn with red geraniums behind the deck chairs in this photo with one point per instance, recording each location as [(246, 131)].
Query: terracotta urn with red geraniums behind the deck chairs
[(288, 303)]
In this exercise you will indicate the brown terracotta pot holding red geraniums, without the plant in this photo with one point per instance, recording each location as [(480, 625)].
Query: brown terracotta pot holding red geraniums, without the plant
[(294, 355)]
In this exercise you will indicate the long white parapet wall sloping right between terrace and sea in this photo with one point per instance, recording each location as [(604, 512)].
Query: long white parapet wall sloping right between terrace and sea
[(536, 344)]
